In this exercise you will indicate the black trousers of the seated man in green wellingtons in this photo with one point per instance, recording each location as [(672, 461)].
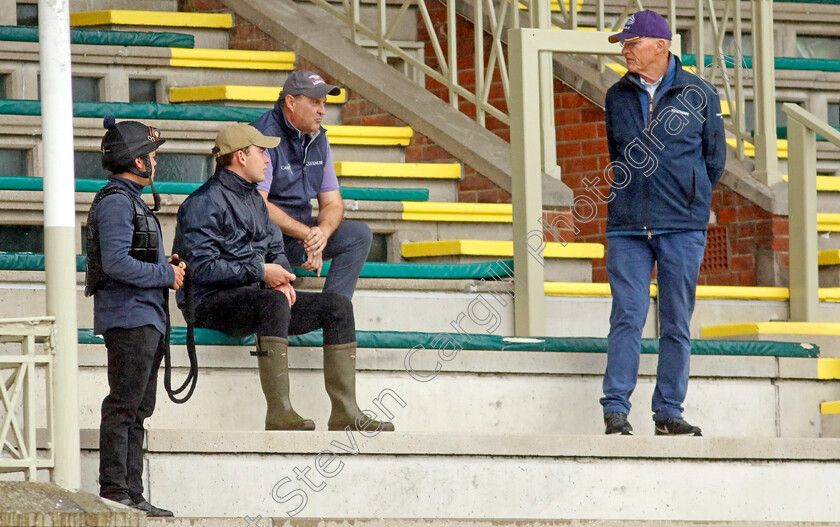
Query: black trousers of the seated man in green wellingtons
[(244, 311)]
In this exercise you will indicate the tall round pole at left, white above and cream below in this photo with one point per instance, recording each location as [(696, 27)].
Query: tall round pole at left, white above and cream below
[(59, 230)]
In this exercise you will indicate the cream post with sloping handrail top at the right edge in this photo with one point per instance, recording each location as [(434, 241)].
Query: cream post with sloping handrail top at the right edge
[(803, 128)]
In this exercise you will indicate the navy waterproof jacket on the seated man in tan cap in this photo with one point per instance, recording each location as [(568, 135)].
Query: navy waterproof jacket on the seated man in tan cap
[(225, 235)]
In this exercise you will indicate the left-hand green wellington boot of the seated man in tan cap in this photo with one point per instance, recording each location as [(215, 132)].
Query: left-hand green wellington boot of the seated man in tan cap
[(273, 362)]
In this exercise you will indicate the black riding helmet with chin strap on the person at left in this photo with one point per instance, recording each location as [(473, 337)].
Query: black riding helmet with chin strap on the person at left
[(126, 141)]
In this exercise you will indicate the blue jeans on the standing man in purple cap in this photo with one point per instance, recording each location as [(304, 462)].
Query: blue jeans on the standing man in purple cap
[(630, 261)]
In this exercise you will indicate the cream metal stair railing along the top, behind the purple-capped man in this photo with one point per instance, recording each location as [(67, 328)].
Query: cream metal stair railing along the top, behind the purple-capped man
[(493, 18)]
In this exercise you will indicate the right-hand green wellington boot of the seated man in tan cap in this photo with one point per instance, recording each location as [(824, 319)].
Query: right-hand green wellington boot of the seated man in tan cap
[(340, 381)]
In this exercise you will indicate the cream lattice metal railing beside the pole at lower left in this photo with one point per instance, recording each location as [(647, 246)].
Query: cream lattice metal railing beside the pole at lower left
[(18, 401)]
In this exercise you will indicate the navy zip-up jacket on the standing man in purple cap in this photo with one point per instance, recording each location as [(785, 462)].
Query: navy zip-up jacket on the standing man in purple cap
[(665, 164)]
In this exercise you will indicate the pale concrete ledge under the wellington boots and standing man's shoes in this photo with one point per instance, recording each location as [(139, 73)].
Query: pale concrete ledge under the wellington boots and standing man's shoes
[(502, 445)]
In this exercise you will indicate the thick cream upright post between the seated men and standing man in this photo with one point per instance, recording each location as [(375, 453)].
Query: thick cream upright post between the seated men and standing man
[(526, 169)]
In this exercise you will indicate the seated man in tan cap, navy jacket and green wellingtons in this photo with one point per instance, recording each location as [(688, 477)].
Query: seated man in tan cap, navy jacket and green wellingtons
[(241, 284)]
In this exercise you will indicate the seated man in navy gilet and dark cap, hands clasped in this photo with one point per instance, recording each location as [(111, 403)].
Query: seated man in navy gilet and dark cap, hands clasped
[(301, 169)]
